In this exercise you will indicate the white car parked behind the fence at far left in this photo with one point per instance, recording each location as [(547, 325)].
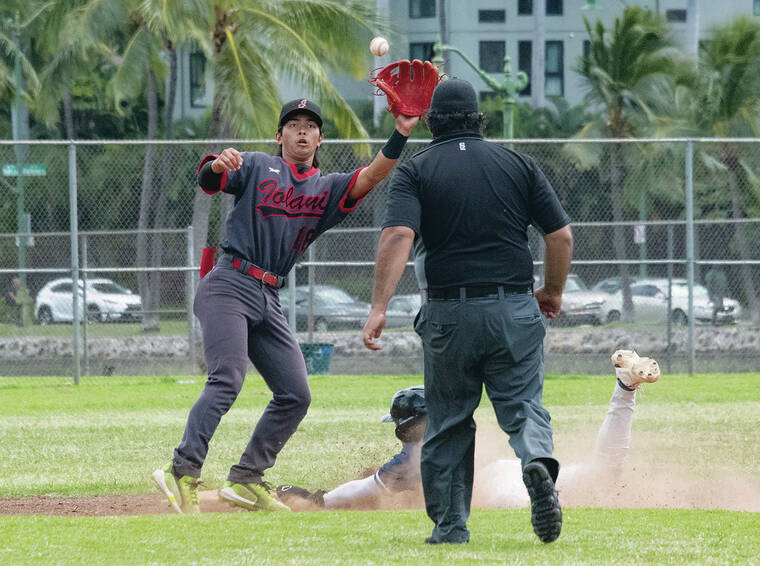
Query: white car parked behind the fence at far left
[(106, 301)]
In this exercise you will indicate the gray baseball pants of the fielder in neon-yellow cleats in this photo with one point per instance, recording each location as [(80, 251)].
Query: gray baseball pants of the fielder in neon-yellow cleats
[(242, 319)]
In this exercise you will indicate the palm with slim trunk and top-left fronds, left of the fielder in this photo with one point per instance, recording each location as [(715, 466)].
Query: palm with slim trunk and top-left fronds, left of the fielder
[(136, 34)]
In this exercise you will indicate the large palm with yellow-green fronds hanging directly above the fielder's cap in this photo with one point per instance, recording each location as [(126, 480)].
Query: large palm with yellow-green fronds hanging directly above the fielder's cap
[(253, 47)]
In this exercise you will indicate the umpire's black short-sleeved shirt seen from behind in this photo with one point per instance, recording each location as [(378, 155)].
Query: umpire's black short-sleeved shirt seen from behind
[(470, 203)]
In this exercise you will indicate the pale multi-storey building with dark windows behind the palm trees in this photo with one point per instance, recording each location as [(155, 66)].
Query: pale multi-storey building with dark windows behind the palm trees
[(485, 31)]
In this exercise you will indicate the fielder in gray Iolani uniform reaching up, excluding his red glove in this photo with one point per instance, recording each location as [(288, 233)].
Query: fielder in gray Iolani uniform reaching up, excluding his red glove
[(282, 204)]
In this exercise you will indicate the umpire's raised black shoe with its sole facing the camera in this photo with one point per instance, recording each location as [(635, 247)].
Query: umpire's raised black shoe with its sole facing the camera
[(545, 511)]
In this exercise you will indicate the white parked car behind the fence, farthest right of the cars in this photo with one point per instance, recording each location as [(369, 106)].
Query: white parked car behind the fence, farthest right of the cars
[(650, 303)]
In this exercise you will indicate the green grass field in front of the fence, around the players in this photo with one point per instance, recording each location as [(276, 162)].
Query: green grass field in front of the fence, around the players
[(695, 441)]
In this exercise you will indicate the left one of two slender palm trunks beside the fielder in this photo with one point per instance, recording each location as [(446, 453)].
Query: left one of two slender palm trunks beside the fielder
[(150, 315)]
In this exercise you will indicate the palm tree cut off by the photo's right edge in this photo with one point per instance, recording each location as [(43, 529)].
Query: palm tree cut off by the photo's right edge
[(727, 104)]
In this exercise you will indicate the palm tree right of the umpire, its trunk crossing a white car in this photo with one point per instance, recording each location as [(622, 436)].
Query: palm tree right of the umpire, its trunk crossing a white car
[(618, 70)]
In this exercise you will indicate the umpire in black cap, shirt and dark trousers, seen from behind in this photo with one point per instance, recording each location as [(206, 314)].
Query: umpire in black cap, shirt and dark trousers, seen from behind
[(466, 204)]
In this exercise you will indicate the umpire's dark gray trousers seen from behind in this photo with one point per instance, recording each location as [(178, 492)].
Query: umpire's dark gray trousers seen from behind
[(496, 341)]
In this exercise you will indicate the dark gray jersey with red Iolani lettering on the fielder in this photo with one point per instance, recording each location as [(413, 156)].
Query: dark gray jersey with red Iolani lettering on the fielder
[(278, 211)]
